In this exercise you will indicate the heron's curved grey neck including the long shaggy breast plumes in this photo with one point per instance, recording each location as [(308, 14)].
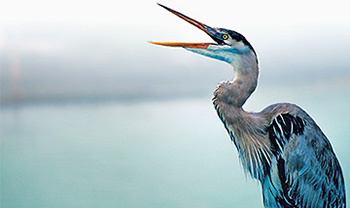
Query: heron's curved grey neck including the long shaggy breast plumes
[(245, 129)]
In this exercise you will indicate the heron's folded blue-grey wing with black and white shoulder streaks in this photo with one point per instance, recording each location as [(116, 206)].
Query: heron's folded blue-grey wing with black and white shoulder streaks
[(306, 172)]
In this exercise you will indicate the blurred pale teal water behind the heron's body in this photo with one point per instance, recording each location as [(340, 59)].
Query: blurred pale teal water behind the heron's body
[(149, 154)]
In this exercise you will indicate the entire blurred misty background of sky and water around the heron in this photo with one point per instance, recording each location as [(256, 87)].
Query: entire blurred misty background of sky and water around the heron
[(92, 115)]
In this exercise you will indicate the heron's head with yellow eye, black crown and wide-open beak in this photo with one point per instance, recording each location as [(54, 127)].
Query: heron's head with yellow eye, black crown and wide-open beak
[(228, 47)]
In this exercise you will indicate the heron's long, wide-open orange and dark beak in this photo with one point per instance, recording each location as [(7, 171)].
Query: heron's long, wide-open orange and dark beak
[(209, 30)]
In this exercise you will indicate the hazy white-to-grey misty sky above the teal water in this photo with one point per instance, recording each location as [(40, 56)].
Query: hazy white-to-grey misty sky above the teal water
[(76, 52)]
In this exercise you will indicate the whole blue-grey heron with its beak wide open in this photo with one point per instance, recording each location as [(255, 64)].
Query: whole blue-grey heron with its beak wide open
[(281, 146)]
